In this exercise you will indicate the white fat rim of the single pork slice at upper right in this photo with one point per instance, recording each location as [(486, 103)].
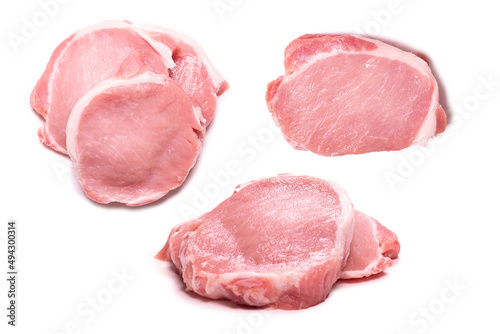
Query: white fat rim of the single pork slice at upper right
[(384, 50)]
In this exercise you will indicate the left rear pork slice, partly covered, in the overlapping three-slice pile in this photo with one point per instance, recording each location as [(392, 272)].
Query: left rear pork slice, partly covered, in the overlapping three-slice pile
[(86, 58)]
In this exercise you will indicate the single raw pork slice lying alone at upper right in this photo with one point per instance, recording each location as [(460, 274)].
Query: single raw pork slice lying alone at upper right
[(344, 94)]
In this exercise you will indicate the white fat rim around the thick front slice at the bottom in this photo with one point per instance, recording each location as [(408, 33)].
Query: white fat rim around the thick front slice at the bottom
[(216, 283)]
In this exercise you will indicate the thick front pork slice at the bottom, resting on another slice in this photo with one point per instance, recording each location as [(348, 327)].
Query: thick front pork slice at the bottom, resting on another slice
[(278, 242)]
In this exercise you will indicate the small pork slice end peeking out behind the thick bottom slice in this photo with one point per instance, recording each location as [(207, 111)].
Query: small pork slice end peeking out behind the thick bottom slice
[(372, 248)]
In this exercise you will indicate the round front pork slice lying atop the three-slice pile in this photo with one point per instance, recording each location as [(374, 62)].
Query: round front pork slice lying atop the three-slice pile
[(134, 137)]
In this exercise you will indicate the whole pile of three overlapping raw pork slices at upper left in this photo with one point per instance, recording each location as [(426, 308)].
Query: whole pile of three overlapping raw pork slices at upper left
[(130, 105)]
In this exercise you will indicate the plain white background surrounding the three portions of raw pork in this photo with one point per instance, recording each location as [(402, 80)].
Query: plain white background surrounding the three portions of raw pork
[(444, 209)]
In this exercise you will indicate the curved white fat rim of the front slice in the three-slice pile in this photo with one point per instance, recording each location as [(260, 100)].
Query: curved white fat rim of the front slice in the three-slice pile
[(83, 102)]
